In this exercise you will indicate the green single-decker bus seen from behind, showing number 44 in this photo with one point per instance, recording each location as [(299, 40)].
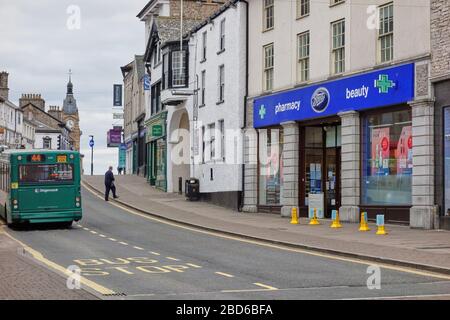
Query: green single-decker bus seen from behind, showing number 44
[(40, 186)]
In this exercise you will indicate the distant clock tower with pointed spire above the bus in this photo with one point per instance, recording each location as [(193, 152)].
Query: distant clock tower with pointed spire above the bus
[(70, 115)]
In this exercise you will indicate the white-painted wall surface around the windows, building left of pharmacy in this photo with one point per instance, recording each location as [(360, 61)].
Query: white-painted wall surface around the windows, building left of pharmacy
[(228, 175)]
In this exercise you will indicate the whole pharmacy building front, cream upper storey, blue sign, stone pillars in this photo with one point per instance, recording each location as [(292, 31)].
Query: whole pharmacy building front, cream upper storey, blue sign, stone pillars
[(340, 98)]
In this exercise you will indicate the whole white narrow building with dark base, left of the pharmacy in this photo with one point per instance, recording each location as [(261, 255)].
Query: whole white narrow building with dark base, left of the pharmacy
[(217, 60)]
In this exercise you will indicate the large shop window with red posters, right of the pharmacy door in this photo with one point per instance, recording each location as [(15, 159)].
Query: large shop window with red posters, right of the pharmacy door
[(387, 159)]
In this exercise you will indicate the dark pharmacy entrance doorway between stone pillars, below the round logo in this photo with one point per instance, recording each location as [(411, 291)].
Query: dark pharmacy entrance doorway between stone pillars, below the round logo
[(320, 167)]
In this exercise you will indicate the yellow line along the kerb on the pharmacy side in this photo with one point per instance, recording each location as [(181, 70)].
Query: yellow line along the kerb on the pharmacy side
[(275, 246)]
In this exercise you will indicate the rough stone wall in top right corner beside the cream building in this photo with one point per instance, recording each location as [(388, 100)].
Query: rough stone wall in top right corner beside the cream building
[(440, 37)]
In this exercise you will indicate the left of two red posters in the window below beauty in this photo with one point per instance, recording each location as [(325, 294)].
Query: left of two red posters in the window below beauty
[(380, 151)]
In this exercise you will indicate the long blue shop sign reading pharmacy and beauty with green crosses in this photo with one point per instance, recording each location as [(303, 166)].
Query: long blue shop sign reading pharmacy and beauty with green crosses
[(370, 90)]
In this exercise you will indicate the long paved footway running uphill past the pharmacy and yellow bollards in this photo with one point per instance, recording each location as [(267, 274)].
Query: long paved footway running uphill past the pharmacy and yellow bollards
[(420, 249)]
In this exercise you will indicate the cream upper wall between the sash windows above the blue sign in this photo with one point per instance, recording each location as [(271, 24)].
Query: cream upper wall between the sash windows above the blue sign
[(411, 38)]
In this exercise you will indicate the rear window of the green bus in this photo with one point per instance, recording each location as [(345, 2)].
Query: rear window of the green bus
[(46, 173)]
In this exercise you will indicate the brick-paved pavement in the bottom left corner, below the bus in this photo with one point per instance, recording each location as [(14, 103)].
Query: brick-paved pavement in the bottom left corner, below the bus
[(22, 278)]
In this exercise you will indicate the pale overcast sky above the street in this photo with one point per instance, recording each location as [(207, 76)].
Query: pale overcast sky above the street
[(41, 40)]
